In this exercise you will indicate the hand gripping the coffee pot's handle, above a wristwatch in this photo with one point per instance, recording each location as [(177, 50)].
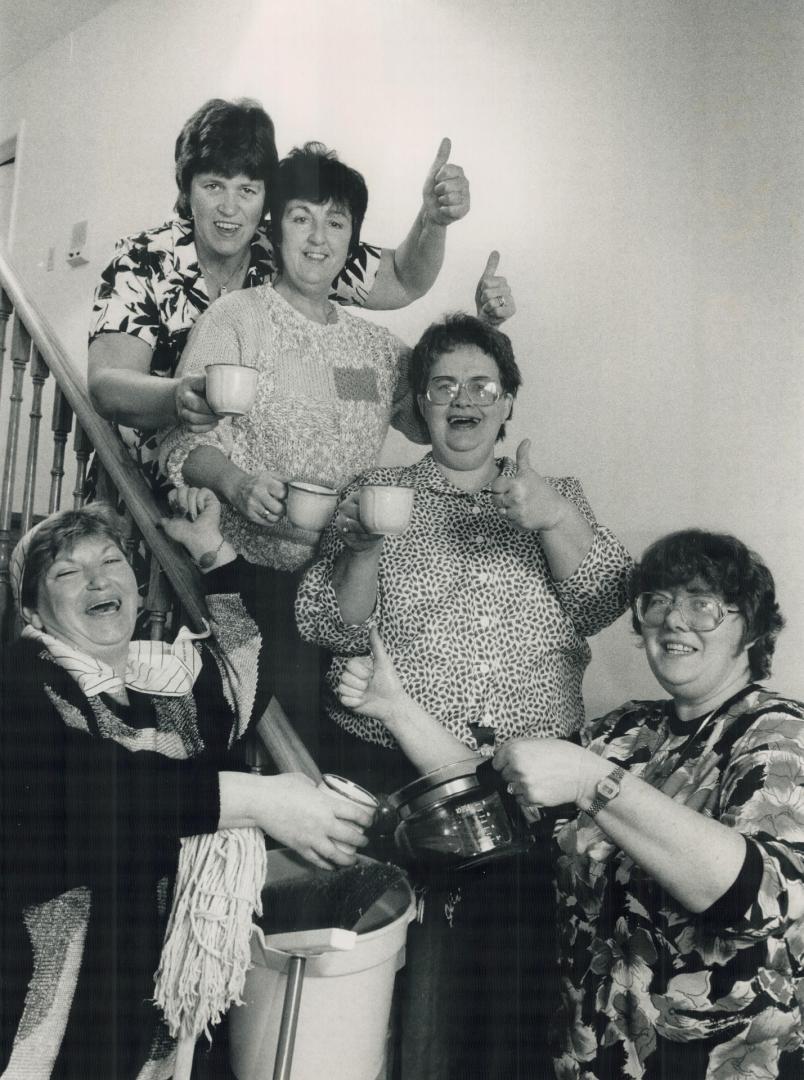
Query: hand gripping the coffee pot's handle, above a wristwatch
[(547, 773)]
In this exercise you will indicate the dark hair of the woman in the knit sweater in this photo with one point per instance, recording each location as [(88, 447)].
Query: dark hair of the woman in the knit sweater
[(314, 174)]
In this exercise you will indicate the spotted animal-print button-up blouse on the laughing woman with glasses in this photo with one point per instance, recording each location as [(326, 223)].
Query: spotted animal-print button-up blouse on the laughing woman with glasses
[(478, 629)]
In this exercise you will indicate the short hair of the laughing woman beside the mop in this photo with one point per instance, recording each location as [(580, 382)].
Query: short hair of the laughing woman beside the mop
[(58, 535)]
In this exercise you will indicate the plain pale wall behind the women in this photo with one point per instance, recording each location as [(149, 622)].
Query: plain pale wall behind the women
[(639, 165)]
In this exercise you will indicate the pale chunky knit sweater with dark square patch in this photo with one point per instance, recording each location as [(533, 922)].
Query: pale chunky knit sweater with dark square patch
[(326, 398)]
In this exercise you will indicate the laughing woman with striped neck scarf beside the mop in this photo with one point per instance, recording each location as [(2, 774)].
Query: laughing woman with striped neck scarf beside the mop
[(114, 753)]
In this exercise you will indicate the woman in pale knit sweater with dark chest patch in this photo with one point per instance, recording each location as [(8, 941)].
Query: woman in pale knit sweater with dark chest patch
[(330, 385)]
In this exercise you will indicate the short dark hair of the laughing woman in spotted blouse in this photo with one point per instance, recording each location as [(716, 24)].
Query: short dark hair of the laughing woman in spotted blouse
[(451, 334)]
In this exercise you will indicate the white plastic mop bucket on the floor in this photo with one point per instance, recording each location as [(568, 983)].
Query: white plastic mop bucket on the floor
[(346, 997)]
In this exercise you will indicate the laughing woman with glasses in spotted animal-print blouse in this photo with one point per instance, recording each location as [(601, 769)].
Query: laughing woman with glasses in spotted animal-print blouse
[(485, 605)]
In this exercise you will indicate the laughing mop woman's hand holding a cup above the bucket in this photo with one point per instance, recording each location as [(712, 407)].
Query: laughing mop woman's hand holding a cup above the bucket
[(323, 828)]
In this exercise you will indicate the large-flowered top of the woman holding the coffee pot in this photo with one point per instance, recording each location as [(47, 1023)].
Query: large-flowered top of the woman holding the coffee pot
[(651, 990)]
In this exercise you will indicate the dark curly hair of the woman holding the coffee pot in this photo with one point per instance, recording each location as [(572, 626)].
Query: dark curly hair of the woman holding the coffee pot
[(731, 570)]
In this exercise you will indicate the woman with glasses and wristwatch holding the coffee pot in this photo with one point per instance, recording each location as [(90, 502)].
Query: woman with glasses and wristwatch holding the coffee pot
[(681, 879)]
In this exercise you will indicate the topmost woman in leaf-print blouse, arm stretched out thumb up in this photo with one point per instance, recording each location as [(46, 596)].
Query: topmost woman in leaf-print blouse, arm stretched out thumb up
[(162, 280)]
